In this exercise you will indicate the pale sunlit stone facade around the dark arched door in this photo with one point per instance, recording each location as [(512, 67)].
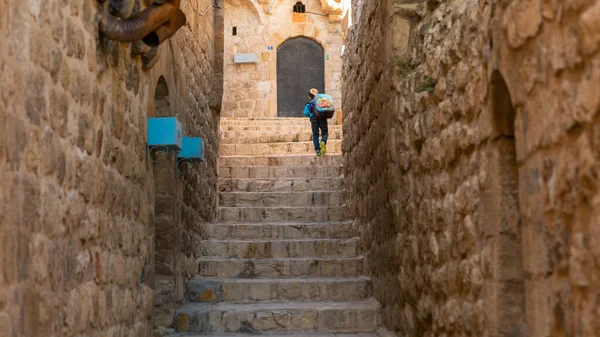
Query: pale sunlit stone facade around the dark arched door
[(250, 90)]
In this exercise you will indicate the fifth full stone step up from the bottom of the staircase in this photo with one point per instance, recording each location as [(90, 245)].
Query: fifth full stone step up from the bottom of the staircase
[(282, 231)]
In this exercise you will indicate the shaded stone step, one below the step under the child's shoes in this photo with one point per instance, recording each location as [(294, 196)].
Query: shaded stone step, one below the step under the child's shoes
[(266, 172)]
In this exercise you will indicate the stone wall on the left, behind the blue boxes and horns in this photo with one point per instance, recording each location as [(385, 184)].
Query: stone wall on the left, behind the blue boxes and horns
[(93, 230)]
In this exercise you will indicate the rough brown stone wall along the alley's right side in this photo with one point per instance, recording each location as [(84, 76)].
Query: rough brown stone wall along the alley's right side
[(471, 163)]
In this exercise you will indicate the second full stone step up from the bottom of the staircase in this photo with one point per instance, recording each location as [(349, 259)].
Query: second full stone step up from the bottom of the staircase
[(213, 290)]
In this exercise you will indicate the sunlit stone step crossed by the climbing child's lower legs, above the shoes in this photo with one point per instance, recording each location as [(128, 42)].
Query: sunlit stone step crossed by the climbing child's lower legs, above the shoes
[(246, 137)]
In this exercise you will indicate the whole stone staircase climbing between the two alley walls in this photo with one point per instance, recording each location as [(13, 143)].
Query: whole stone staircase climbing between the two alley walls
[(283, 259)]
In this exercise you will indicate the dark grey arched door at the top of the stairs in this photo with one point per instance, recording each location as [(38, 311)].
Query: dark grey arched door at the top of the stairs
[(300, 66)]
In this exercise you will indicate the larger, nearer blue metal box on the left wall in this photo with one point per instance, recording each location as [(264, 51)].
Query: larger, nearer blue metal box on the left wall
[(165, 132)]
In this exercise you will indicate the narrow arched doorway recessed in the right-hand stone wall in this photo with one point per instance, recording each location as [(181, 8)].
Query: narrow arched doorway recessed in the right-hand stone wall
[(505, 289)]
